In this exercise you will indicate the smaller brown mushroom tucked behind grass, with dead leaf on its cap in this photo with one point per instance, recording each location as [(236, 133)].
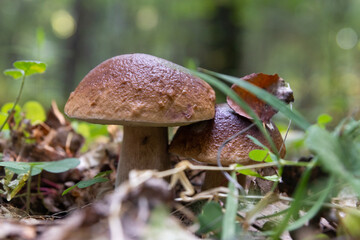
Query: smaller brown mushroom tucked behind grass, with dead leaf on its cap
[(201, 141)]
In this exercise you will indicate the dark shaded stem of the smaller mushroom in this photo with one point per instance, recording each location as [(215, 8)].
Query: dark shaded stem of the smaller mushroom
[(215, 179)]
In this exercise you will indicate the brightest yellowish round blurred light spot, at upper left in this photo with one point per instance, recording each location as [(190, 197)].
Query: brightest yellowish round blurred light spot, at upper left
[(63, 24)]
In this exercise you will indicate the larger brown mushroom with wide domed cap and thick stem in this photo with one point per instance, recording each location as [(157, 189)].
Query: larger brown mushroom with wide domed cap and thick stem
[(145, 94)]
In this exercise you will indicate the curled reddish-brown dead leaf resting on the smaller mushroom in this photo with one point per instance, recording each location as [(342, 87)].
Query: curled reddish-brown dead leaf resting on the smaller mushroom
[(271, 83)]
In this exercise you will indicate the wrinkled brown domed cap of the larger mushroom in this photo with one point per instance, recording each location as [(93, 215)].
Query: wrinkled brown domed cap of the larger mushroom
[(141, 90)]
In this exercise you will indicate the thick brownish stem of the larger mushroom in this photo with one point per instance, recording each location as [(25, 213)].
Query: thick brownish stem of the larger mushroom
[(142, 148)]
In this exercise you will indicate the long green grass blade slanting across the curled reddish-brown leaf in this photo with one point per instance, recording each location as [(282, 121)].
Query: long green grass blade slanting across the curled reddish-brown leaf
[(265, 96)]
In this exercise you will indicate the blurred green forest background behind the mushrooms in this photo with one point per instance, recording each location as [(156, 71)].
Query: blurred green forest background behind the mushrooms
[(312, 44)]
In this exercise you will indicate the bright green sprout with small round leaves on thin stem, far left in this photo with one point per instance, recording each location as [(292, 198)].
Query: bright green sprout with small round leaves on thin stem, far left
[(22, 70)]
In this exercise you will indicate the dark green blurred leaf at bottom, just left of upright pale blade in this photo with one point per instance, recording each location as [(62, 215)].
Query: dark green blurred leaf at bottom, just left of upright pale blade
[(210, 219)]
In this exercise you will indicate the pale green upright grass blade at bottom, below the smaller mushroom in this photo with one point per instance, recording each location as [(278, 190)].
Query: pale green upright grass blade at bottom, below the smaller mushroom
[(229, 225)]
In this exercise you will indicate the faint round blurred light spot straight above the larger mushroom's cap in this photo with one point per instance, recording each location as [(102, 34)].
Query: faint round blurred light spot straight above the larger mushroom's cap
[(147, 18)]
